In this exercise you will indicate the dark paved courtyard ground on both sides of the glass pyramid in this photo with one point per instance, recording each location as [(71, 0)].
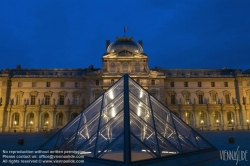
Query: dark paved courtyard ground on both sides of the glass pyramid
[(32, 141)]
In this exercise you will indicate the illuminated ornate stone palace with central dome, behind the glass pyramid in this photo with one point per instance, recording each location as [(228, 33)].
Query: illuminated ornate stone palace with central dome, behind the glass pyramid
[(34, 100)]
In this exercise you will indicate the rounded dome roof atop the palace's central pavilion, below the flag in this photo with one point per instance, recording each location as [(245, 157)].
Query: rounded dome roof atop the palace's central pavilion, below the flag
[(124, 44)]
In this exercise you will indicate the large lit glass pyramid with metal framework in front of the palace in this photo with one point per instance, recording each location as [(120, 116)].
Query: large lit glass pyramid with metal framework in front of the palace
[(126, 124)]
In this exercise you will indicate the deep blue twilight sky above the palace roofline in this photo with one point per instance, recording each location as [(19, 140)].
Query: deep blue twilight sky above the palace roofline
[(175, 33)]
